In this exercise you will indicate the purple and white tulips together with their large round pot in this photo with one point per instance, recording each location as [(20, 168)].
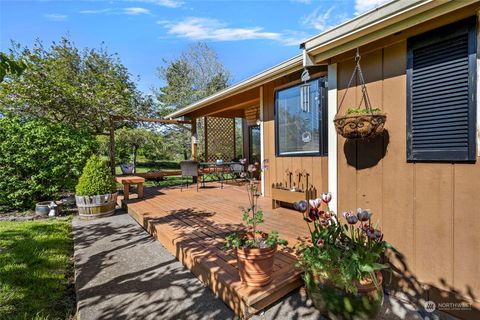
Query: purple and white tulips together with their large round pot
[(342, 261)]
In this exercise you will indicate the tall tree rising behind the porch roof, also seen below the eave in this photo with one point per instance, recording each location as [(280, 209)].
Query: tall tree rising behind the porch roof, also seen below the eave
[(194, 75)]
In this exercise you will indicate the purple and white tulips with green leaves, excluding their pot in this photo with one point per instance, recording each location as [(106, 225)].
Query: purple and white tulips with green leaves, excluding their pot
[(345, 254)]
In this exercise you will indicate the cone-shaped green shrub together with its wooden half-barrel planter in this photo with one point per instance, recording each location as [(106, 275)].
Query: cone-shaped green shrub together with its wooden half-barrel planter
[(96, 194)]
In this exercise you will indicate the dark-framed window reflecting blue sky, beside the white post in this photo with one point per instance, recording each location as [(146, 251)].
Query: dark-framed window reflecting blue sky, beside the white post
[(300, 119)]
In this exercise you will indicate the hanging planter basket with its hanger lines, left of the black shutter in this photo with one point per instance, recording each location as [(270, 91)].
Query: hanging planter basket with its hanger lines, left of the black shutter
[(358, 123)]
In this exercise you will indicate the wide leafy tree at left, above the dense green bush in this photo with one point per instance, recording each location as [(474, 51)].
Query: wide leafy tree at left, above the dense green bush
[(81, 88)]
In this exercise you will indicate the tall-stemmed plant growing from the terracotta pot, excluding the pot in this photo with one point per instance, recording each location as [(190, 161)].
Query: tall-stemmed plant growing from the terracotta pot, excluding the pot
[(252, 217)]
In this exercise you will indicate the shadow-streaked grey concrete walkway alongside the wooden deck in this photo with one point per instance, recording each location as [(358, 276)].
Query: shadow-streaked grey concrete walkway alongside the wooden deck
[(123, 273)]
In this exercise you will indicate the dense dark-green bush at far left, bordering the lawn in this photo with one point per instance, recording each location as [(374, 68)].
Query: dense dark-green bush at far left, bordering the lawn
[(39, 159)]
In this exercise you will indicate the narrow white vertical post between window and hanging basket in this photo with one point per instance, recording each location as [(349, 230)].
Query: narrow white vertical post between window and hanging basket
[(332, 136)]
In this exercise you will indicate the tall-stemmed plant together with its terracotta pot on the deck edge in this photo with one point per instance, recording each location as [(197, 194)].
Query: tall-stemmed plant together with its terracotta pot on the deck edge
[(255, 250)]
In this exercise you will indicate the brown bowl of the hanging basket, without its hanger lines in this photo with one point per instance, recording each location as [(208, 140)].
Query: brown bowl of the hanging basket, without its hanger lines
[(360, 126)]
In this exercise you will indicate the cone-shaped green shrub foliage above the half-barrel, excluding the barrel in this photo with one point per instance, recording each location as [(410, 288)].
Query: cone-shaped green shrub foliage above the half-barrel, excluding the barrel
[(96, 178)]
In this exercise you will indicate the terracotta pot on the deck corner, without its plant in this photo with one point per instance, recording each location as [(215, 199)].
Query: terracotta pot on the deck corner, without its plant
[(255, 265)]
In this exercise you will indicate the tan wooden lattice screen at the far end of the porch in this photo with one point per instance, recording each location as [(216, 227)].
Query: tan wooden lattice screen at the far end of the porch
[(219, 138)]
